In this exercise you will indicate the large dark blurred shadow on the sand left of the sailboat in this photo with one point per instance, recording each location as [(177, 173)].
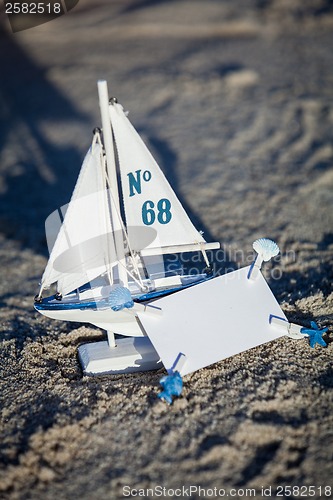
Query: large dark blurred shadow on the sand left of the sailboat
[(37, 174)]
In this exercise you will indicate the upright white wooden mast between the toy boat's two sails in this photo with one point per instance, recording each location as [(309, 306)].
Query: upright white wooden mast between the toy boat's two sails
[(112, 174)]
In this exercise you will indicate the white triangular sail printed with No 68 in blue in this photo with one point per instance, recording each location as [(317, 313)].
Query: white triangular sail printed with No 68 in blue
[(149, 201)]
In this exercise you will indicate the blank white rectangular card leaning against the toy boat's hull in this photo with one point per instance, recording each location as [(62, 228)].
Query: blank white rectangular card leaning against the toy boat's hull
[(213, 320)]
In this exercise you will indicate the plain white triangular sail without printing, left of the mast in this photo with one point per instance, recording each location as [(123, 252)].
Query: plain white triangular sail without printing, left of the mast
[(84, 248)]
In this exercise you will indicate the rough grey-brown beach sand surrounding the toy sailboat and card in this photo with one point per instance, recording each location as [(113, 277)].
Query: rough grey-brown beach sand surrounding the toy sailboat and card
[(236, 101)]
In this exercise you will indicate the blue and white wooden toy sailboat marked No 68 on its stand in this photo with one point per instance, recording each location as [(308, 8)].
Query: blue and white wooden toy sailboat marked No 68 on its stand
[(107, 258)]
